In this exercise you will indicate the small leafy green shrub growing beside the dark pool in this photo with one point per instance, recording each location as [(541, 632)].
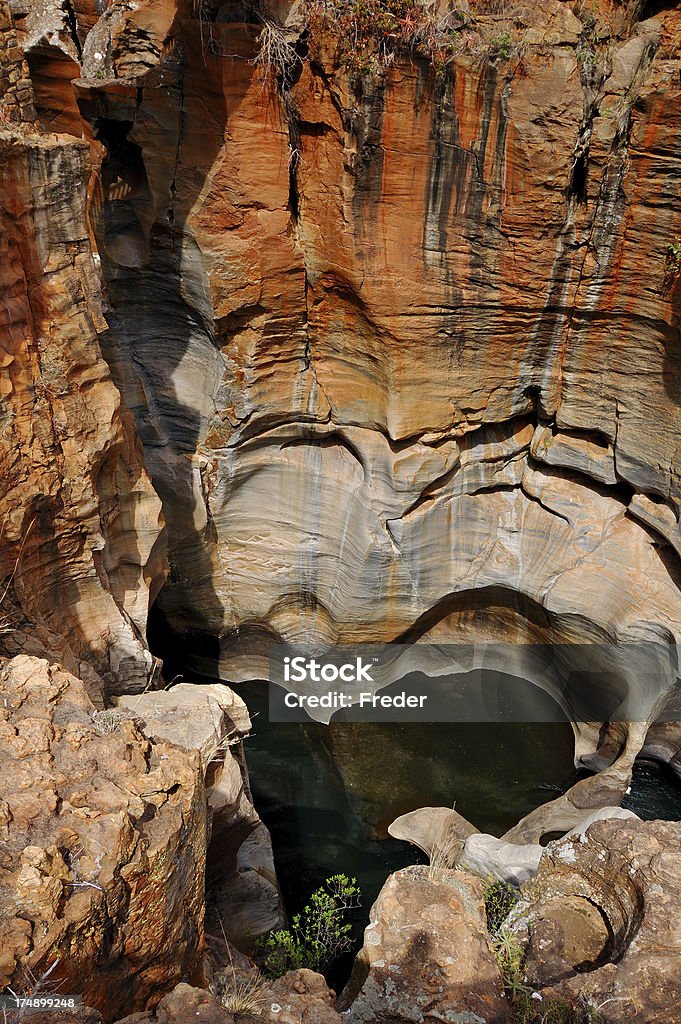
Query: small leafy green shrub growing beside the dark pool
[(319, 935)]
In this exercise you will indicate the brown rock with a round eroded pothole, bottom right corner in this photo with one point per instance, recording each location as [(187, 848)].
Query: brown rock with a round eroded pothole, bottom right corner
[(603, 919)]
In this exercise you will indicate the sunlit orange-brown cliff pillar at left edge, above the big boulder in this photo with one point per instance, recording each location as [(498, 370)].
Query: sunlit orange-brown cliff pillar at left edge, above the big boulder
[(81, 526)]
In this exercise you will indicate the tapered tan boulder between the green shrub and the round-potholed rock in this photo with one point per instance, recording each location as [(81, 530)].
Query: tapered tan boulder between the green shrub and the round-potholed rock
[(427, 956)]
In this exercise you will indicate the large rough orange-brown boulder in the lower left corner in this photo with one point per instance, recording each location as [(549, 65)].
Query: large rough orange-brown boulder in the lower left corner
[(102, 871)]
